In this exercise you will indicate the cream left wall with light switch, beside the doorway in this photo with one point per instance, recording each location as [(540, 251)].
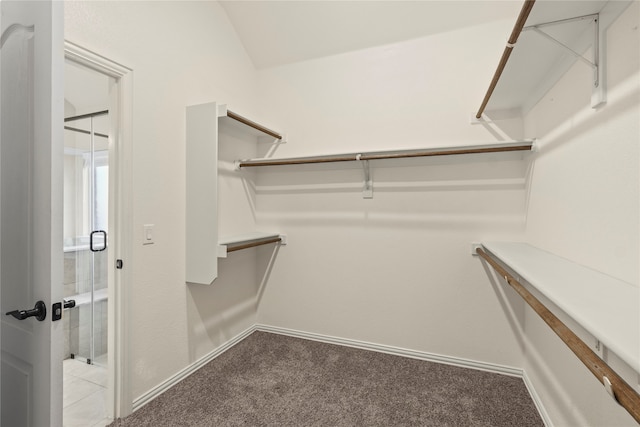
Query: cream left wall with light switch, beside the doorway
[(181, 53)]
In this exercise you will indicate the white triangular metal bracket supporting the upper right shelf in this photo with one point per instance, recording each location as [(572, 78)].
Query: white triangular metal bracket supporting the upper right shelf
[(598, 92)]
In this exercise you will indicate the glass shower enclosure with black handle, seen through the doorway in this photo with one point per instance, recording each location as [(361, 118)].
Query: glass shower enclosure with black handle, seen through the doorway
[(86, 196)]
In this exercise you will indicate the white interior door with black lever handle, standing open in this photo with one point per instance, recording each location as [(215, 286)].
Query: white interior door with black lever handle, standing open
[(31, 108)]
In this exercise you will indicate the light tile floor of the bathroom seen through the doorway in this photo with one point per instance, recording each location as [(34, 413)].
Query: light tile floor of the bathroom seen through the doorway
[(85, 394)]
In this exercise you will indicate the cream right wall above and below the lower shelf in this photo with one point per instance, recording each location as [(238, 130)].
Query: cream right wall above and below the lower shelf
[(583, 205)]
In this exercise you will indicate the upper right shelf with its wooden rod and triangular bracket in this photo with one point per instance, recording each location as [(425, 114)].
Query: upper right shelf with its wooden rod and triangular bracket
[(546, 40)]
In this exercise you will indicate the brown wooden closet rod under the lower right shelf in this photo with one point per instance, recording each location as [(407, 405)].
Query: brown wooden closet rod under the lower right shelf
[(624, 394)]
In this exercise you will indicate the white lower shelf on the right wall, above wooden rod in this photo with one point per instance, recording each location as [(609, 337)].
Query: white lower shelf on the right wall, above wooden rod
[(606, 307)]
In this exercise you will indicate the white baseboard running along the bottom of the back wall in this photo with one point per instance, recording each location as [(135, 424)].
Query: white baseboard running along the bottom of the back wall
[(397, 351)]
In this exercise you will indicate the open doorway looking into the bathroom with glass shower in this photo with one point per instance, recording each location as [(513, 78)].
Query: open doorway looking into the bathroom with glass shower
[(86, 245)]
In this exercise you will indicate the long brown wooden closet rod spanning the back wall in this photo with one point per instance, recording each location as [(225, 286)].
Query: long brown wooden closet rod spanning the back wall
[(524, 146)]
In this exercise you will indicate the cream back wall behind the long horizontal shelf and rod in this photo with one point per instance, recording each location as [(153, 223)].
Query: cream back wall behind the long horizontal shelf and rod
[(396, 269)]
